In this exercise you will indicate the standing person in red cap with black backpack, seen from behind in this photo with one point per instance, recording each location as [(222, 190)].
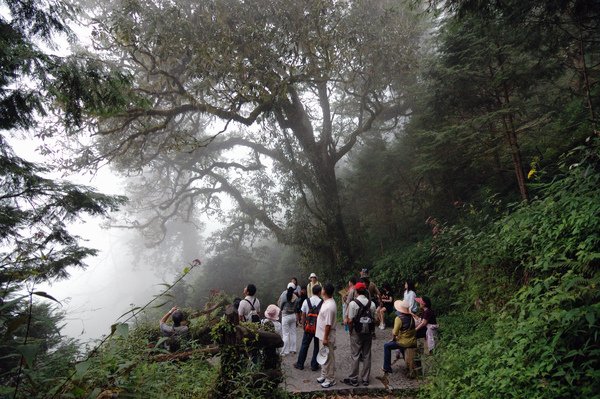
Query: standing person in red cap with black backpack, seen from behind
[(361, 336)]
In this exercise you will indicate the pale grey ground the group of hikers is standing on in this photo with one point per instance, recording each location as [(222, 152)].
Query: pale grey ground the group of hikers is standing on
[(380, 384)]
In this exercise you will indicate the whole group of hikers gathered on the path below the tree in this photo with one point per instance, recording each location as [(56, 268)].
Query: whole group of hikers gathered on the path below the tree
[(313, 307)]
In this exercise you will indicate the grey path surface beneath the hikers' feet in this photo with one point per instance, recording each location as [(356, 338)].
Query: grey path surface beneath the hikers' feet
[(305, 380)]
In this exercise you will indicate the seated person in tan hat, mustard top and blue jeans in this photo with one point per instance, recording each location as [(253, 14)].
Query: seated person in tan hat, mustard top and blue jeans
[(404, 335)]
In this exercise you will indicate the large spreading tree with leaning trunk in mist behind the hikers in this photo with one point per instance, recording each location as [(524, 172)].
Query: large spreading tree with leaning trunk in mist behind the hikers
[(287, 87)]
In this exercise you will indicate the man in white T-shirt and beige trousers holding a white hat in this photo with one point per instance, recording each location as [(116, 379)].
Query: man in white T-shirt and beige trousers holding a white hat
[(325, 332)]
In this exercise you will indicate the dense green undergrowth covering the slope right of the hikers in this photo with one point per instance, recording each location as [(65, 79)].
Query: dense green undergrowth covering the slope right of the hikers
[(524, 296)]
